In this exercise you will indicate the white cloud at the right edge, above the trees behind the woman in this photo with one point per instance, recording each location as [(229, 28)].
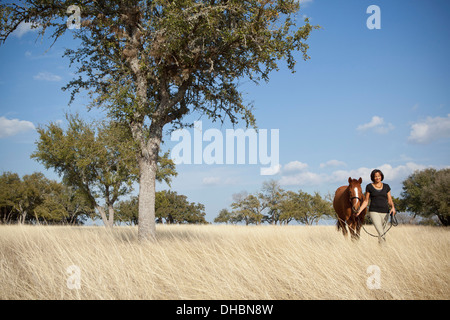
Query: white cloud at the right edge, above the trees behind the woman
[(430, 130)]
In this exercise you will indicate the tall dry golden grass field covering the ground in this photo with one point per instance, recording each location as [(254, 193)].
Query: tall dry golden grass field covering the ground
[(221, 262)]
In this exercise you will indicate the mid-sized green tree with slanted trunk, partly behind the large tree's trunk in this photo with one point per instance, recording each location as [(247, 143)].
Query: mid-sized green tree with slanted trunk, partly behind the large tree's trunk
[(98, 160)]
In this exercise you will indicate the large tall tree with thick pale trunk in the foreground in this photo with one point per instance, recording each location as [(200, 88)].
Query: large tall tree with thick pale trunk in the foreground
[(150, 63)]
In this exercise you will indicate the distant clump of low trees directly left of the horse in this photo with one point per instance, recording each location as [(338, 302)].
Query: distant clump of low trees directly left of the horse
[(274, 205)]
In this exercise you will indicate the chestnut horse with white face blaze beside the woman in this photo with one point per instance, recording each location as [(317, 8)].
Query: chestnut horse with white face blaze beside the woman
[(346, 203)]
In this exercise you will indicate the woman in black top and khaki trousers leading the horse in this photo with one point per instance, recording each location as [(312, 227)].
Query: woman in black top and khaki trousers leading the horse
[(379, 194)]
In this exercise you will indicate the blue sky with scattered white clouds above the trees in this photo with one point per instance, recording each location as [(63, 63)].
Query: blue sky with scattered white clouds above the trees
[(366, 99)]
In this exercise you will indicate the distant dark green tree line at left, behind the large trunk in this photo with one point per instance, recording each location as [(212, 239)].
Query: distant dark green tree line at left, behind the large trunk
[(34, 199)]
